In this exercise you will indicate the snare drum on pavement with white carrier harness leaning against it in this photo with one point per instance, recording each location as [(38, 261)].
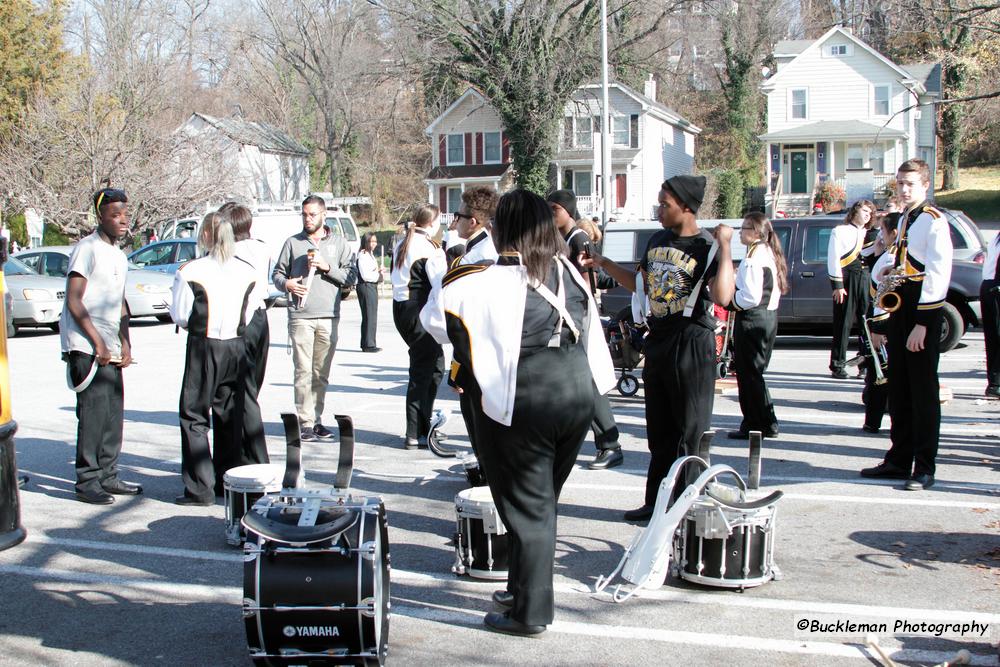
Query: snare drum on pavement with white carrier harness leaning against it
[(725, 547)]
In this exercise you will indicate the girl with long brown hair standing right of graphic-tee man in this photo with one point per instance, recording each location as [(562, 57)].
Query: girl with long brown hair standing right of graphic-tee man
[(760, 281)]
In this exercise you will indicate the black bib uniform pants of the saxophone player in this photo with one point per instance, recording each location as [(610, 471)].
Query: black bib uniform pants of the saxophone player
[(914, 393)]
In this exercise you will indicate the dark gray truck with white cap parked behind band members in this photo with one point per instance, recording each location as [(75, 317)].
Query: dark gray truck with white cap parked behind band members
[(807, 306)]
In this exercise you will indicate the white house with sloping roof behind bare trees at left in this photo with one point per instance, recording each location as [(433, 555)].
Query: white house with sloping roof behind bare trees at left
[(270, 165)]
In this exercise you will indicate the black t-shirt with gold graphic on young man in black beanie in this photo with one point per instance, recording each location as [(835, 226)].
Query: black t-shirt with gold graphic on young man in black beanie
[(673, 266)]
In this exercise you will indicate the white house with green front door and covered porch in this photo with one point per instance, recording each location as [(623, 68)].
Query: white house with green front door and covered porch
[(837, 109)]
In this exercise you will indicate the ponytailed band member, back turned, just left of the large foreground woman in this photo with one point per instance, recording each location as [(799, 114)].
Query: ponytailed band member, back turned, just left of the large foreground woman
[(418, 263)]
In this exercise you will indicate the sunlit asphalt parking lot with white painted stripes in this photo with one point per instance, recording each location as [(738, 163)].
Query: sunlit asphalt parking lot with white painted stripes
[(146, 582)]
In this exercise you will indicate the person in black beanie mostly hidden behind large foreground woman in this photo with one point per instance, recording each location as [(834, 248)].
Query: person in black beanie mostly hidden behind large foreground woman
[(605, 429)]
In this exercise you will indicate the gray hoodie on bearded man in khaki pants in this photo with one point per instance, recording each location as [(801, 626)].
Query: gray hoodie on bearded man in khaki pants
[(324, 294)]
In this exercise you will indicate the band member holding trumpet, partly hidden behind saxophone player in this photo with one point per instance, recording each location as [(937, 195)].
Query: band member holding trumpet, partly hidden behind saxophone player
[(875, 396)]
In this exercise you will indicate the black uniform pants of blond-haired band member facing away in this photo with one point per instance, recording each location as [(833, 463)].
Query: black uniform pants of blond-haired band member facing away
[(212, 389)]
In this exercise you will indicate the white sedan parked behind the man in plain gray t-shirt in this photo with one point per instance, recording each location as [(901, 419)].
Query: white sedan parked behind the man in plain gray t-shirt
[(147, 293)]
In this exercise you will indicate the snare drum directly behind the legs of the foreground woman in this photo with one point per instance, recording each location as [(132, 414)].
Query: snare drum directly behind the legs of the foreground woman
[(481, 542)]
